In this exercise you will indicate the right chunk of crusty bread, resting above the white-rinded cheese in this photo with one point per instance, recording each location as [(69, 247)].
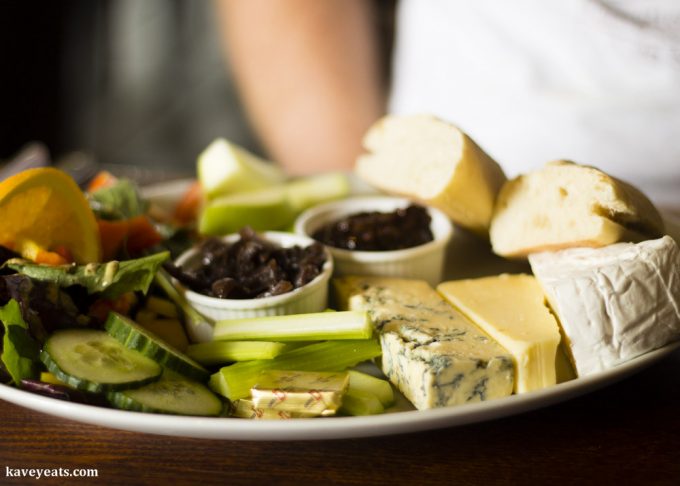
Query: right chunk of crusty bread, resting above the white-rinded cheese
[(567, 205)]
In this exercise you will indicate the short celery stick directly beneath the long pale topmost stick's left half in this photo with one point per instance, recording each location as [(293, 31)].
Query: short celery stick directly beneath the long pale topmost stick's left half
[(220, 352)]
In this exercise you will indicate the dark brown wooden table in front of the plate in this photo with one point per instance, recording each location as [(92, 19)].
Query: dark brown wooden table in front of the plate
[(628, 433)]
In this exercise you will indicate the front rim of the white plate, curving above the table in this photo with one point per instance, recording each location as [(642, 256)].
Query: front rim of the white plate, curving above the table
[(329, 428)]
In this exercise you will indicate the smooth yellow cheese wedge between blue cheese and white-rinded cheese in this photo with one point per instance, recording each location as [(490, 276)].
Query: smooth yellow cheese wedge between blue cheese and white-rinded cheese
[(512, 310)]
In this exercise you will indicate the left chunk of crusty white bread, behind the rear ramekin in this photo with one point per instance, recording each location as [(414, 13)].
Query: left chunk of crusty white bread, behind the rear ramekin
[(433, 162)]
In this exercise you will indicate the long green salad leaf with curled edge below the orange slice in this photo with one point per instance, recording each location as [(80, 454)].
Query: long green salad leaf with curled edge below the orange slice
[(111, 279)]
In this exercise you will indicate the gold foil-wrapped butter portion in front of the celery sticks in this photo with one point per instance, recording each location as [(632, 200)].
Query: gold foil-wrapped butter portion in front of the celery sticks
[(314, 393)]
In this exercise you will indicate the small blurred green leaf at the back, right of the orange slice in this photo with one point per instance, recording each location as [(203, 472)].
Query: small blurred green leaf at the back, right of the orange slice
[(119, 201)]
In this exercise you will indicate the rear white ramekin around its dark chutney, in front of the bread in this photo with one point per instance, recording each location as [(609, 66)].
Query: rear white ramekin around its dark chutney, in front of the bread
[(424, 262)]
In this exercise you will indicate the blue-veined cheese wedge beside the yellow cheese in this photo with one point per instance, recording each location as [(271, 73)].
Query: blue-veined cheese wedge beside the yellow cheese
[(431, 352)]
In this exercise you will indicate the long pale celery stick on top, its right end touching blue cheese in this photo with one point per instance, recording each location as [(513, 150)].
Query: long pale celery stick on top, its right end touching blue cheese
[(298, 327)]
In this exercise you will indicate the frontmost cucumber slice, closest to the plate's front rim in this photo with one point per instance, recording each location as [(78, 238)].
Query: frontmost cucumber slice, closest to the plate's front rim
[(172, 394)]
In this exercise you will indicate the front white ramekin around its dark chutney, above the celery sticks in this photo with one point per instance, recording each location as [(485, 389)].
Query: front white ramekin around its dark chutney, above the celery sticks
[(312, 297)]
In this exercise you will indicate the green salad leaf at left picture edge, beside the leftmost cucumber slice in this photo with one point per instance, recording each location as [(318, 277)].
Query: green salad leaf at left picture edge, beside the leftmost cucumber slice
[(20, 352)]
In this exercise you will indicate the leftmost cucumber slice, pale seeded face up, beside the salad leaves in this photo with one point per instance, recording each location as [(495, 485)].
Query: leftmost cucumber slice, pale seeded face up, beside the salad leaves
[(91, 360)]
